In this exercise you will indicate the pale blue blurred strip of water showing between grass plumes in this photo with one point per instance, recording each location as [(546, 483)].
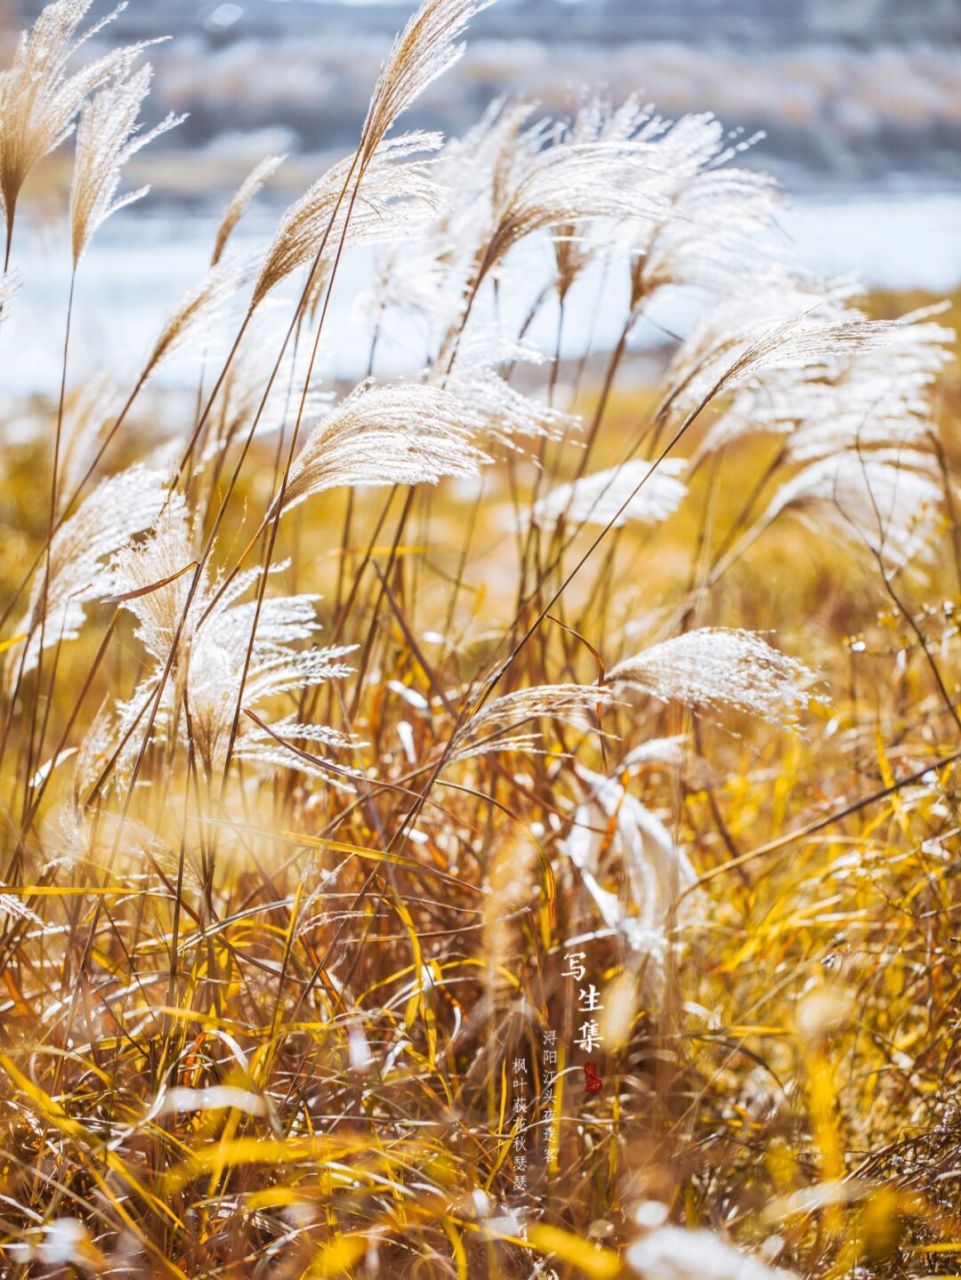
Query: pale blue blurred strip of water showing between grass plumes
[(140, 267)]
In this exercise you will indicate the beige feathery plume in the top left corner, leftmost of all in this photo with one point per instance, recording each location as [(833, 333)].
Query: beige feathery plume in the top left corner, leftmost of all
[(39, 100)]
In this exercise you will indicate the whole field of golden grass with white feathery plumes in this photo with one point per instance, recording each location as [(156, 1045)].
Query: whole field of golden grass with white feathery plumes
[(501, 822)]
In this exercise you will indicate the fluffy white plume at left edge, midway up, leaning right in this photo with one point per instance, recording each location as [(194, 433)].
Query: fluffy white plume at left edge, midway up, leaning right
[(118, 510)]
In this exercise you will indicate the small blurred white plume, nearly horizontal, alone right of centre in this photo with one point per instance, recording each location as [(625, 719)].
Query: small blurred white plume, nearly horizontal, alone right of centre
[(598, 499)]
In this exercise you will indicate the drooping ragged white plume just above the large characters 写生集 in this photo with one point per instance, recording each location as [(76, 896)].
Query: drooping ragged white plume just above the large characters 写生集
[(656, 870)]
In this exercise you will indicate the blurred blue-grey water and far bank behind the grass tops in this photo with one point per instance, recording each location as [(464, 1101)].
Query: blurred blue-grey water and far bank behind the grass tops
[(859, 103)]
